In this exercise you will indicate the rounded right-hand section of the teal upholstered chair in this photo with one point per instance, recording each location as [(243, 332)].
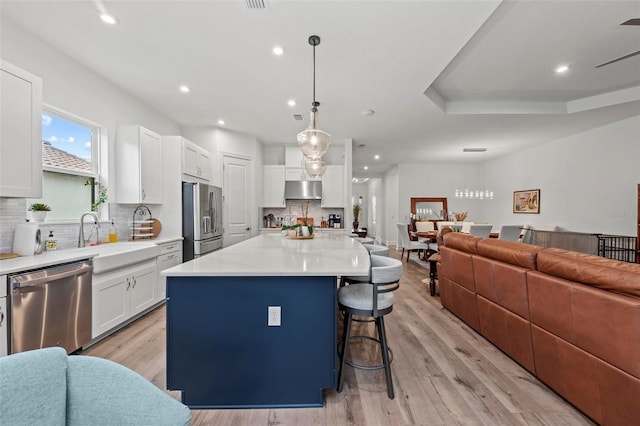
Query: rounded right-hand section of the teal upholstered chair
[(101, 392)]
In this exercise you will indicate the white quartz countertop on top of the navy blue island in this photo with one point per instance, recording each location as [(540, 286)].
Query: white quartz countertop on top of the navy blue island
[(271, 254)]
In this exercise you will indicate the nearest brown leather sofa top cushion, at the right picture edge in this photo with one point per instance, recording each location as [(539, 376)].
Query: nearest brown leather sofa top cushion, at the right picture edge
[(596, 271)]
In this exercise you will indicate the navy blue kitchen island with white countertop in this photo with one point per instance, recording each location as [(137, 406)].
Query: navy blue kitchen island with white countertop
[(225, 348)]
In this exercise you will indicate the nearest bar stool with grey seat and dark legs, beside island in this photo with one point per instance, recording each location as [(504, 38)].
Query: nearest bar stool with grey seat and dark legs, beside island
[(373, 300)]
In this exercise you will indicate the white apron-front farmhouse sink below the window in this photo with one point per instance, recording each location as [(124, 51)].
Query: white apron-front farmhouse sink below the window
[(117, 255)]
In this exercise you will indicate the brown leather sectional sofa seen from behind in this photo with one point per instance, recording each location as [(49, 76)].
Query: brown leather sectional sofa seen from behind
[(571, 319)]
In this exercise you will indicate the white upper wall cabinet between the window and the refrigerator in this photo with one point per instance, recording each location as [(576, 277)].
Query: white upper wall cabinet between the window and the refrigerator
[(138, 166)]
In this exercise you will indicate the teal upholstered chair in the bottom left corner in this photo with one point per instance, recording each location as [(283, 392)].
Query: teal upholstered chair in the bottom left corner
[(47, 387)]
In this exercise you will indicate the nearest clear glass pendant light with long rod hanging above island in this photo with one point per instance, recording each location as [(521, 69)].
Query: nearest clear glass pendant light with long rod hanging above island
[(314, 142)]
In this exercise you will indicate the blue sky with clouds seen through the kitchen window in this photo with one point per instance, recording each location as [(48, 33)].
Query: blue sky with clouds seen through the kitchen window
[(67, 135)]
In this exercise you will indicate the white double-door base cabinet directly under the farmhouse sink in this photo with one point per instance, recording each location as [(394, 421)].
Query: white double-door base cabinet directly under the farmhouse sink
[(121, 294)]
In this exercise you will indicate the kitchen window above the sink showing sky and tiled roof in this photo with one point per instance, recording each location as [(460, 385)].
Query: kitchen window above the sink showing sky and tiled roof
[(70, 165)]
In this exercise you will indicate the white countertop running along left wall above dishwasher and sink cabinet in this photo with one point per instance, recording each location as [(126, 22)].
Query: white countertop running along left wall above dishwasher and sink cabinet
[(56, 257)]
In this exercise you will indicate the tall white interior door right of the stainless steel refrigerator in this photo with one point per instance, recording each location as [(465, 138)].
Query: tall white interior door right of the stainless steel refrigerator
[(236, 208)]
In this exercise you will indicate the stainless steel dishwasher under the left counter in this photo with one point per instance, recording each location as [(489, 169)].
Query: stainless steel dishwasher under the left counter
[(51, 307)]
